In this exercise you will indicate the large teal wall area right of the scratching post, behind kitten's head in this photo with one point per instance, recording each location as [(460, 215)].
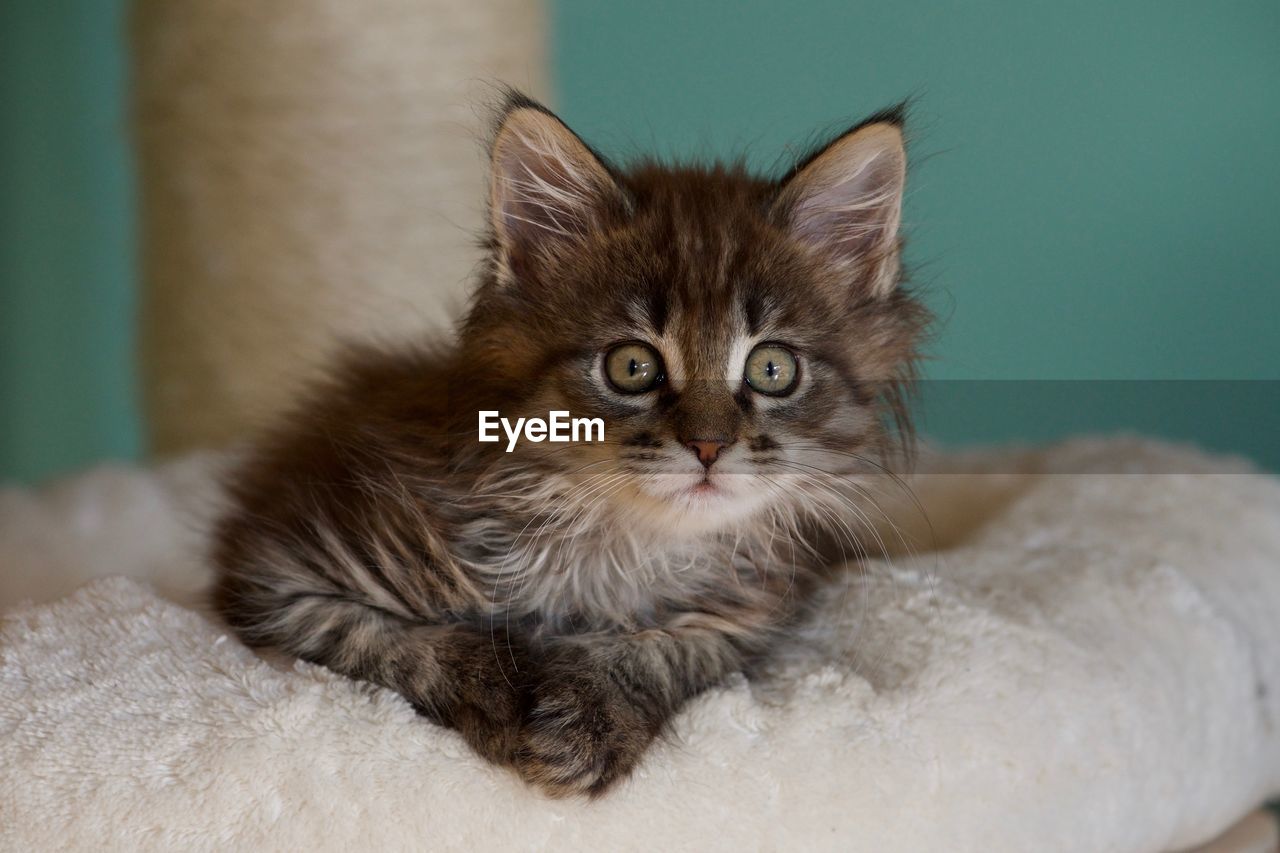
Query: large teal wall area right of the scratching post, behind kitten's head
[(1095, 194)]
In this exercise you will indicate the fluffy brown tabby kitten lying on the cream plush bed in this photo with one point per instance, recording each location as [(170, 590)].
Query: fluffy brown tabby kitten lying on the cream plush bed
[(746, 341)]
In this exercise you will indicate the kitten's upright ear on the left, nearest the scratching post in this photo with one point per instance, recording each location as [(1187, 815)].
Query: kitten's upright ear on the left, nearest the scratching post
[(547, 186)]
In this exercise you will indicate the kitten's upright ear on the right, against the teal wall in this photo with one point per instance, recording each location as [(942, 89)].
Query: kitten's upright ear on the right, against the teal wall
[(847, 202)]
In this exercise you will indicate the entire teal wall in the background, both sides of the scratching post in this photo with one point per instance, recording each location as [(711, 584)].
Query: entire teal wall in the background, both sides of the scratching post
[(1092, 207)]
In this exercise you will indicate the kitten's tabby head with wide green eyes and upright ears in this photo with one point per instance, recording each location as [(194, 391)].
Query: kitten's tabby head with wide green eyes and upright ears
[(740, 339)]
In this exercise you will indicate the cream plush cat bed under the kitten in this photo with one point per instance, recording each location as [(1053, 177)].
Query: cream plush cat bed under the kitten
[(1090, 663)]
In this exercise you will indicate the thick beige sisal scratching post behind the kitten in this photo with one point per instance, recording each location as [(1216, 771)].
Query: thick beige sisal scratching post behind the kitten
[(310, 171)]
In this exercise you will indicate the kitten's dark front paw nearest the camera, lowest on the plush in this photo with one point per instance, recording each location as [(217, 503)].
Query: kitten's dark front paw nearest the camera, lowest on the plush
[(582, 736)]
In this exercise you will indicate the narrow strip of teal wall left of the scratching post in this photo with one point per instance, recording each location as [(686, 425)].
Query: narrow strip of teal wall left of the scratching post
[(67, 387)]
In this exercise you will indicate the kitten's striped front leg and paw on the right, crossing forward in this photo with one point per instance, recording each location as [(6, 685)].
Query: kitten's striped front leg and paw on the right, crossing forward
[(600, 700)]
